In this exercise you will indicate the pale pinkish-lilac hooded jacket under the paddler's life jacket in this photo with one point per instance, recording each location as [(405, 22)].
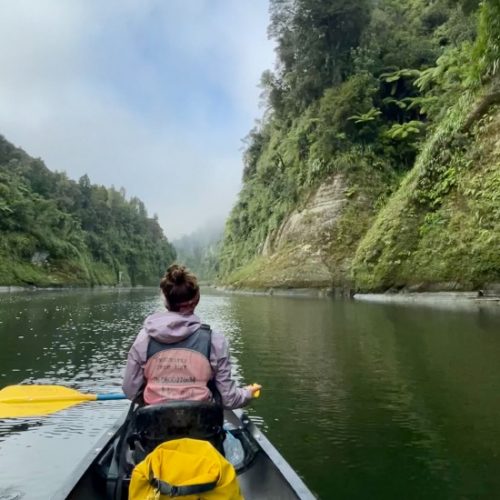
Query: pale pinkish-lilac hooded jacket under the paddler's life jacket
[(170, 327)]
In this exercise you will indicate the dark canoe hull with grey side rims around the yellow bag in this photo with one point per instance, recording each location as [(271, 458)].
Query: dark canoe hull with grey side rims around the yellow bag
[(265, 474)]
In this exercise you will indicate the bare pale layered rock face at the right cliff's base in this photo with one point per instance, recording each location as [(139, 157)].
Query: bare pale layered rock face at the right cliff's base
[(314, 245)]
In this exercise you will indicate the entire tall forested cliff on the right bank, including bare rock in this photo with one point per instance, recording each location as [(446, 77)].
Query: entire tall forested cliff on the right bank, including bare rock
[(376, 163)]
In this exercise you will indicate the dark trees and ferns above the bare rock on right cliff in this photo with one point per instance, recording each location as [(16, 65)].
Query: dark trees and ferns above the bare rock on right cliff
[(359, 89)]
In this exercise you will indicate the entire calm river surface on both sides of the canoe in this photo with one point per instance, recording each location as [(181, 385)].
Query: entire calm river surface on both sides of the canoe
[(364, 400)]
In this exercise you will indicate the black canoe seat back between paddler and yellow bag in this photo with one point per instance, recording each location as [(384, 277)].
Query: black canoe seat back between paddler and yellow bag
[(155, 424)]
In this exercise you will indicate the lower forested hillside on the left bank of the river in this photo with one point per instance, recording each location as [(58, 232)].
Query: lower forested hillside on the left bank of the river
[(55, 231)]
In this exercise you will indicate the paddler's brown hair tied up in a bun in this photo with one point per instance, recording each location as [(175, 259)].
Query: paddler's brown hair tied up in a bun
[(180, 288)]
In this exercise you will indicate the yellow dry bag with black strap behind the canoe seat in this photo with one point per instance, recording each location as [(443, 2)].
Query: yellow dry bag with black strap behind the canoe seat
[(187, 468)]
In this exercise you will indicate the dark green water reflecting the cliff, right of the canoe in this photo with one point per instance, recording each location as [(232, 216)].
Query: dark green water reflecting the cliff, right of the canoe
[(388, 399)]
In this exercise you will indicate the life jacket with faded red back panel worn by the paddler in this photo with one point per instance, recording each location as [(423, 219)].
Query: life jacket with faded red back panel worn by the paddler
[(179, 371)]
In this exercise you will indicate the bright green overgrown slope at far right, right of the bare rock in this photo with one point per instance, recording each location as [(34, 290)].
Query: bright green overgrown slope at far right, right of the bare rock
[(442, 227)]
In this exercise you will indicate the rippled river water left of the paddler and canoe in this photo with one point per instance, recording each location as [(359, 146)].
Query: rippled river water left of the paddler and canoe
[(73, 346)]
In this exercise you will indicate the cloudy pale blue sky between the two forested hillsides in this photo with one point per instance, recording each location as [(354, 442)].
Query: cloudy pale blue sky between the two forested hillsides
[(154, 96)]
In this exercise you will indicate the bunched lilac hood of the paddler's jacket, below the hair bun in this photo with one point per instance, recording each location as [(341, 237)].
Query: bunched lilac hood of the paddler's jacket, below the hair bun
[(169, 327)]
